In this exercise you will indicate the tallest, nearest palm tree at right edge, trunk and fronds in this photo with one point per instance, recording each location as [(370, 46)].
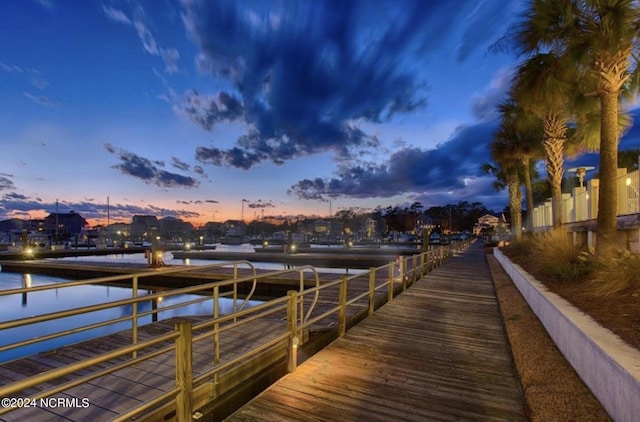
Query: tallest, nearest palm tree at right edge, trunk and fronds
[(601, 37)]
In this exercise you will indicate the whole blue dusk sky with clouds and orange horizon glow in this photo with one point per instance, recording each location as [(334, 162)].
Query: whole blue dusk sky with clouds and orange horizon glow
[(204, 110)]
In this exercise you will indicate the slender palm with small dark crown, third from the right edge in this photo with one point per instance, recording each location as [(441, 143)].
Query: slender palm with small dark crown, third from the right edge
[(526, 134)]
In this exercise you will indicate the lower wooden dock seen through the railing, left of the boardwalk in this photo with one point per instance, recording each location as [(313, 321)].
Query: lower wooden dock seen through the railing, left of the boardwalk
[(111, 395)]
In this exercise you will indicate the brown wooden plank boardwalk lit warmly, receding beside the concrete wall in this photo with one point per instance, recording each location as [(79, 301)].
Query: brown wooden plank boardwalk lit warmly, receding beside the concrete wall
[(437, 352)]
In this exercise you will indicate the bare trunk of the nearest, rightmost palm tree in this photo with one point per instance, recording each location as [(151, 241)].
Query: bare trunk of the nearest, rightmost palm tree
[(608, 194)]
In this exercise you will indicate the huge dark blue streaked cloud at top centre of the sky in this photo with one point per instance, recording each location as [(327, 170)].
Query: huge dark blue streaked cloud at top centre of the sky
[(305, 76)]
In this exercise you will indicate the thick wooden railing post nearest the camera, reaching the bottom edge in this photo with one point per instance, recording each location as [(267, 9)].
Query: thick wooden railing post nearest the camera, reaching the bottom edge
[(184, 372)]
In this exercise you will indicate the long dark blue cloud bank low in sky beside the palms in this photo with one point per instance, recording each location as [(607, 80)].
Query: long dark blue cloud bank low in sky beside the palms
[(453, 166)]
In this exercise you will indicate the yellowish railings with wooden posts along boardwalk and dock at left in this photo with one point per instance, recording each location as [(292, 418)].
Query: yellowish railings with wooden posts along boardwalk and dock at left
[(180, 341)]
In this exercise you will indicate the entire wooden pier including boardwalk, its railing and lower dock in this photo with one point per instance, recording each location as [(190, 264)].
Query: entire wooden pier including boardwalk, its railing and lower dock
[(437, 342)]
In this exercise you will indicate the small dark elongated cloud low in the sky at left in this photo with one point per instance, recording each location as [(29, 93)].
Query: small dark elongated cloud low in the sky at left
[(148, 171)]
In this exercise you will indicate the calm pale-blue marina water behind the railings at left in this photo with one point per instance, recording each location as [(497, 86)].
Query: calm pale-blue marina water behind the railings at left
[(37, 303)]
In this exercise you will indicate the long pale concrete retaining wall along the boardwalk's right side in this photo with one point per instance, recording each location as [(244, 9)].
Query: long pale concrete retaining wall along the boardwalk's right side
[(606, 364)]
